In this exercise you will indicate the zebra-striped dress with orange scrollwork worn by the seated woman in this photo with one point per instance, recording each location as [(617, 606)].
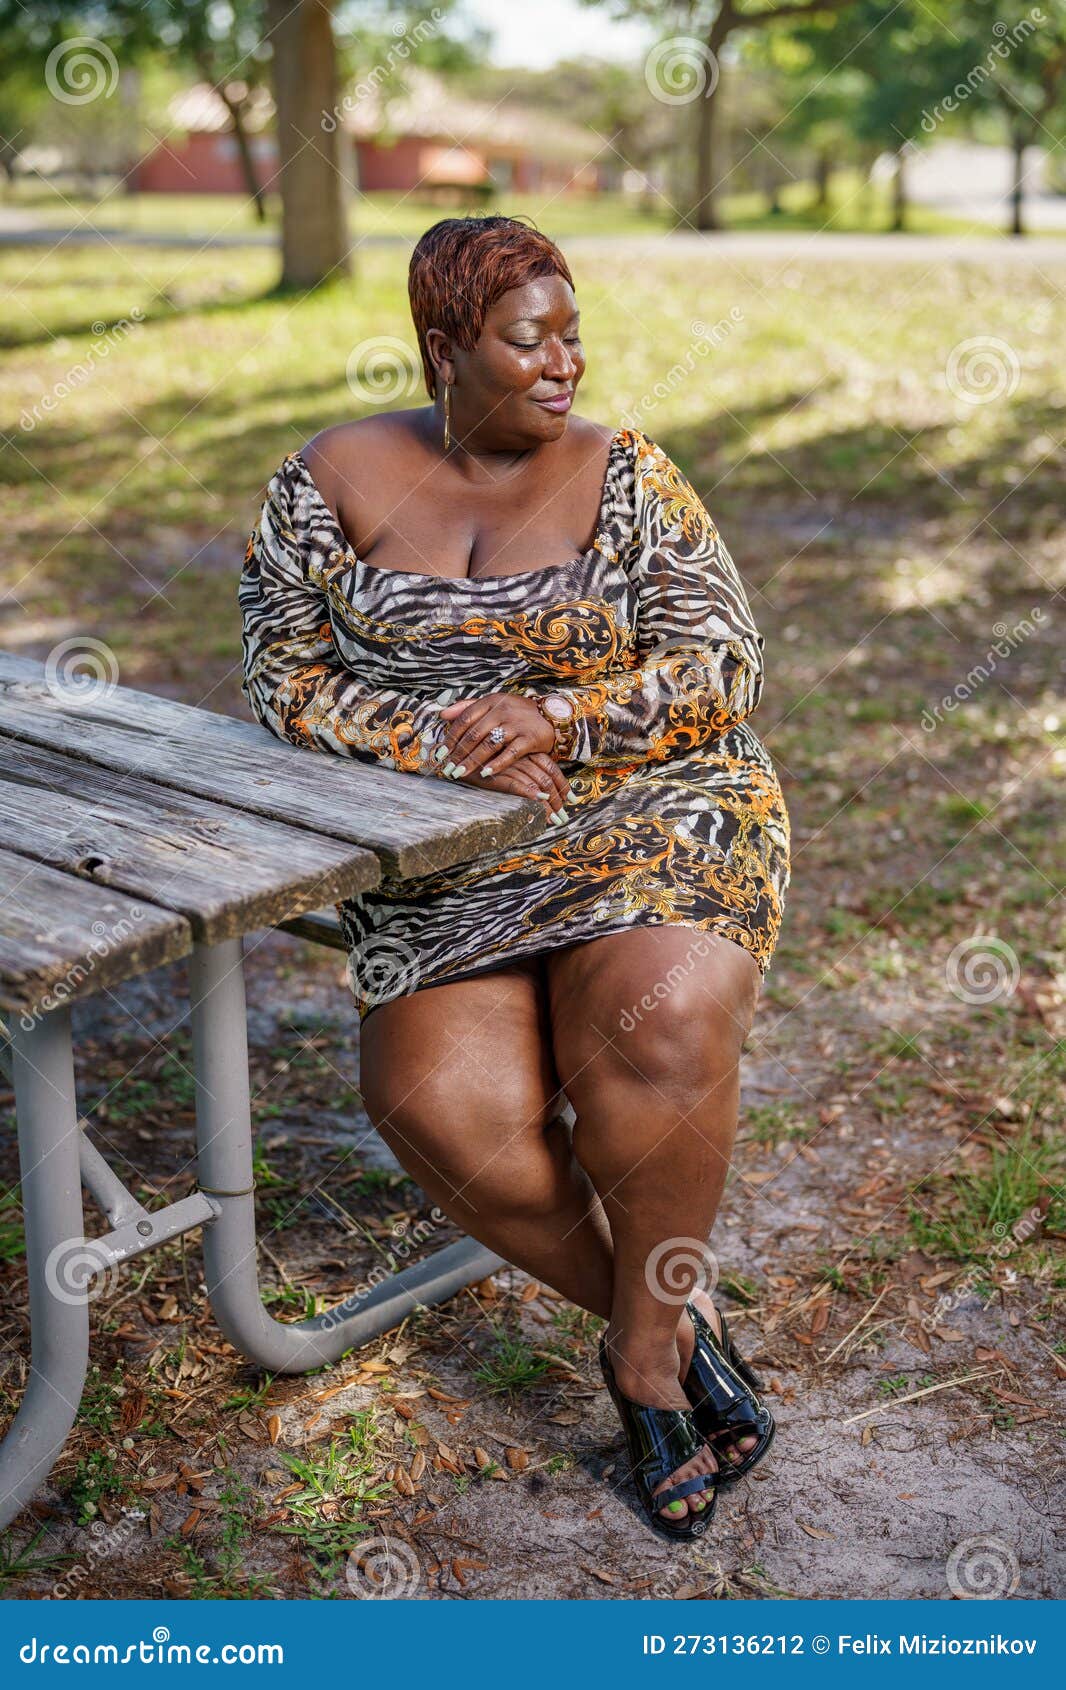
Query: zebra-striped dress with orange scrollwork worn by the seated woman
[(678, 815)]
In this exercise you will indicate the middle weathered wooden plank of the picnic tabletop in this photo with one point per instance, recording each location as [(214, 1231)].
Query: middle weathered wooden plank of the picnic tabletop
[(224, 870)]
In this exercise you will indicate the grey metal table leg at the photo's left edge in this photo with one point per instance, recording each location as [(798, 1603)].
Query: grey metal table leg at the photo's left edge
[(58, 1260)]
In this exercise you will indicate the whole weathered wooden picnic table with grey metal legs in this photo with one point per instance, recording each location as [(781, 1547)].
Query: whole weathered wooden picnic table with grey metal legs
[(136, 832)]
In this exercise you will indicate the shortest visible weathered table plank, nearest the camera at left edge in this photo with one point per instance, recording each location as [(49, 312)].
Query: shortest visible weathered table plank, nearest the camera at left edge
[(63, 939)]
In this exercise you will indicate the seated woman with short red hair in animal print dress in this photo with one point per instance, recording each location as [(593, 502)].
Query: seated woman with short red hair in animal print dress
[(498, 592)]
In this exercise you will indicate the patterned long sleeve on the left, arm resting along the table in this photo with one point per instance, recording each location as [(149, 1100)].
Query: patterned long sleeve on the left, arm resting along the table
[(293, 677)]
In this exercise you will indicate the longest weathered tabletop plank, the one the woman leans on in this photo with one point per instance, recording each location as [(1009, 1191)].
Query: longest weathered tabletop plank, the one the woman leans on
[(415, 824)]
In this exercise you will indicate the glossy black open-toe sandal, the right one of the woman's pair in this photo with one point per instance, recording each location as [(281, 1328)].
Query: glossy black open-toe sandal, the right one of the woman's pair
[(722, 1390)]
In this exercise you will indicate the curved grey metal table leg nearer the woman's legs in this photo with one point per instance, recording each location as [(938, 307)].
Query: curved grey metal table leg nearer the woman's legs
[(224, 1128)]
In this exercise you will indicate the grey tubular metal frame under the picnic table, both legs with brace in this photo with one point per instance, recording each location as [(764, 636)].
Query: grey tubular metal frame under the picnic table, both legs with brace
[(57, 1160)]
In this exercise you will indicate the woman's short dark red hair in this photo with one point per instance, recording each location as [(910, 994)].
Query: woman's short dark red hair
[(464, 264)]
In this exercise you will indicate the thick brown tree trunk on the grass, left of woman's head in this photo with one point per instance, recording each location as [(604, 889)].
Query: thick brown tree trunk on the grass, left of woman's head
[(315, 234)]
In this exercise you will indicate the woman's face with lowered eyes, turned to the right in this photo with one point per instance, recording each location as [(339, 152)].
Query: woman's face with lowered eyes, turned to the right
[(518, 384)]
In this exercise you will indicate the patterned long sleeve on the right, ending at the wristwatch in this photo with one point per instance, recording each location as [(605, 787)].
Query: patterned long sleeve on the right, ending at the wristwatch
[(700, 655)]
